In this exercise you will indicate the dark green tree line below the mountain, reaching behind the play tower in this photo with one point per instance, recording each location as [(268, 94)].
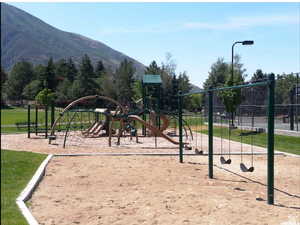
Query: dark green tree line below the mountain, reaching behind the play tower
[(66, 81)]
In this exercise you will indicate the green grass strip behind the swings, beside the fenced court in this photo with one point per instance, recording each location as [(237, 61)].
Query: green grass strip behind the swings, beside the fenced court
[(282, 143)]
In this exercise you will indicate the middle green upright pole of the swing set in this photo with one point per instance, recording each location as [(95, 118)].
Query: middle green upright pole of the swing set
[(210, 134)]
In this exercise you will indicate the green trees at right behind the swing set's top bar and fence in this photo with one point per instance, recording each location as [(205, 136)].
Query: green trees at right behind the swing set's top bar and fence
[(220, 75)]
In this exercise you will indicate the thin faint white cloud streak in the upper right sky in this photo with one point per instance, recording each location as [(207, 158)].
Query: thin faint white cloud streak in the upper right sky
[(244, 22)]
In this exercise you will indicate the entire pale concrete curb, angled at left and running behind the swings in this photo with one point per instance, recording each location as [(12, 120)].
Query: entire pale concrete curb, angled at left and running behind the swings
[(39, 174)]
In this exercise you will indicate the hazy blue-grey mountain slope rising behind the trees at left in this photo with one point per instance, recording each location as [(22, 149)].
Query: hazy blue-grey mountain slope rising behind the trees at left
[(25, 37)]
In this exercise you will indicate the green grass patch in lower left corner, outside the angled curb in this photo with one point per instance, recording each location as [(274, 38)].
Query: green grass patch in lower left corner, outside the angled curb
[(17, 168)]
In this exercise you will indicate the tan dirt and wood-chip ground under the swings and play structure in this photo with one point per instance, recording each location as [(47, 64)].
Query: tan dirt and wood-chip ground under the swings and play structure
[(94, 190)]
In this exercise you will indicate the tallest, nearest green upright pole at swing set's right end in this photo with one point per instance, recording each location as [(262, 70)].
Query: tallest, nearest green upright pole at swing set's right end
[(271, 139)]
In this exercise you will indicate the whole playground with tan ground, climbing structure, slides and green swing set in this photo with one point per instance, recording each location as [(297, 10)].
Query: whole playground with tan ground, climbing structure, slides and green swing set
[(143, 165)]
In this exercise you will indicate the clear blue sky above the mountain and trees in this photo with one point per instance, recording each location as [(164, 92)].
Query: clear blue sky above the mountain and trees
[(196, 34)]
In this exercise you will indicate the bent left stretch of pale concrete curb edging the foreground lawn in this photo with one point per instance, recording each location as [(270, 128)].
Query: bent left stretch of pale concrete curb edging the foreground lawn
[(28, 190)]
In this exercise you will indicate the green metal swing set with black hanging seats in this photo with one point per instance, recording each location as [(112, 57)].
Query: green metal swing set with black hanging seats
[(270, 85)]
